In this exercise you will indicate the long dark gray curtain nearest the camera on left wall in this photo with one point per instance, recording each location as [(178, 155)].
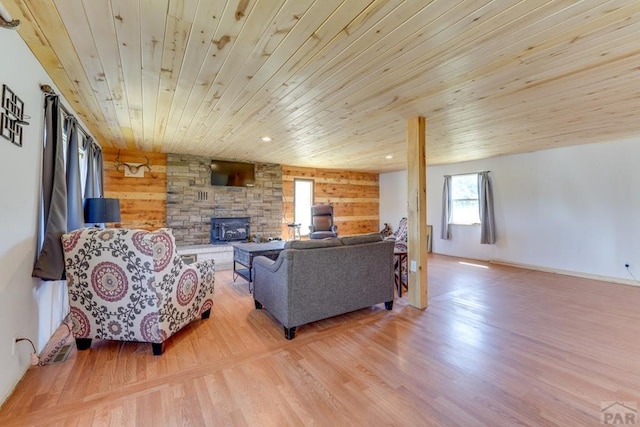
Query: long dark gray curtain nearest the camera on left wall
[(49, 264)]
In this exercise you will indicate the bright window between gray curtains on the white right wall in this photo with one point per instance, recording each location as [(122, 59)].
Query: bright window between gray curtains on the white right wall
[(464, 199)]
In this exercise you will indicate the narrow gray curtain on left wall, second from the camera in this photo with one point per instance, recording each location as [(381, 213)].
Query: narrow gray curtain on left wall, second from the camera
[(75, 214)]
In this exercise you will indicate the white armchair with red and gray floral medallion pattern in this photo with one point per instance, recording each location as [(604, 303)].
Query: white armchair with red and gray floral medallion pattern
[(131, 285)]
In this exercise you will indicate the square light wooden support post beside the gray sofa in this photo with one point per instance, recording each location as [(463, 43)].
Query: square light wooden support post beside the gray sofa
[(417, 211)]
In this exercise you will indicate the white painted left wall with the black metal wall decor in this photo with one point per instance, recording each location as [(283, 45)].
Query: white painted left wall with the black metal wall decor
[(28, 307)]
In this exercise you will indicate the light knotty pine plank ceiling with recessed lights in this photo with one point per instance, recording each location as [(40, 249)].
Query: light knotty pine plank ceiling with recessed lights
[(333, 82)]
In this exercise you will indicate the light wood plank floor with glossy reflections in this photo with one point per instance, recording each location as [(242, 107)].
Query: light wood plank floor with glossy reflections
[(497, 346)]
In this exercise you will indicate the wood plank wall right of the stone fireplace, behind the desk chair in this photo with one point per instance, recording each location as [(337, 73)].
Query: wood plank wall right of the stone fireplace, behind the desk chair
[(355, 197)]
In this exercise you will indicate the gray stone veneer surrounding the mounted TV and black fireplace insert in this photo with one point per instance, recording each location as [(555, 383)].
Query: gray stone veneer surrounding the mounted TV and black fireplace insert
[(192, 200)]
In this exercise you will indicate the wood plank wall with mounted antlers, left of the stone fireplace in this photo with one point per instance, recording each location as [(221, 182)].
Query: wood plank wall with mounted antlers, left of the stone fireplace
[(142, 200)]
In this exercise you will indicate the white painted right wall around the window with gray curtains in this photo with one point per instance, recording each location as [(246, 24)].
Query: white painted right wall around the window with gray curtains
[(575, 209)]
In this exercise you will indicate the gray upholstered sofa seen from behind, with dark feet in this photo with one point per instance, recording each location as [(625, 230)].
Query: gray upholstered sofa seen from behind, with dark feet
[(316, 279)]
